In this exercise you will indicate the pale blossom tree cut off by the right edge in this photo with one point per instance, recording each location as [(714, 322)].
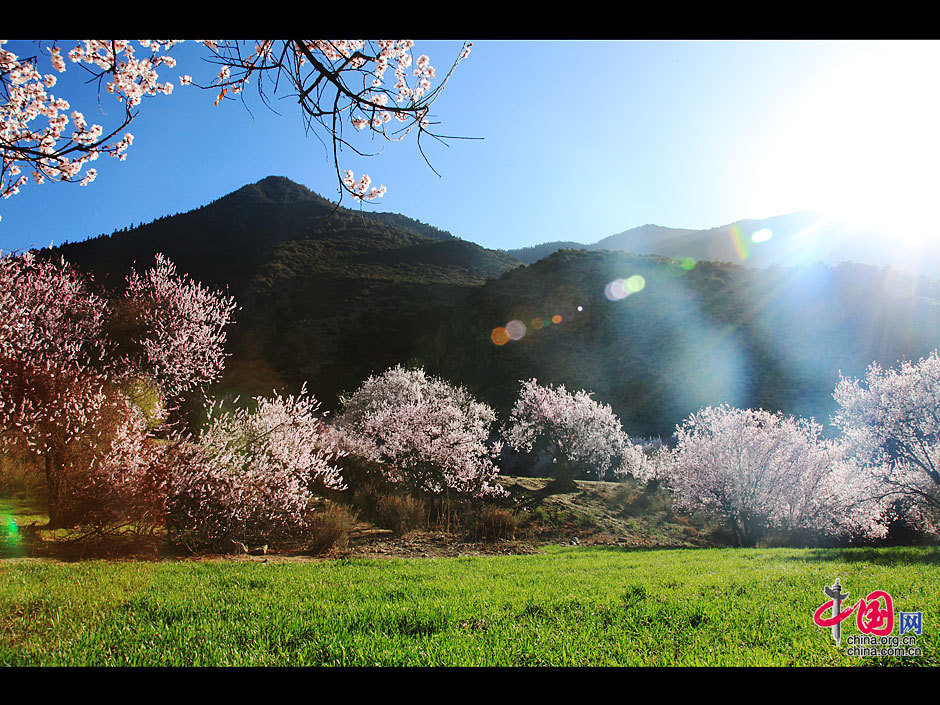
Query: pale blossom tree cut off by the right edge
[(891, 421)]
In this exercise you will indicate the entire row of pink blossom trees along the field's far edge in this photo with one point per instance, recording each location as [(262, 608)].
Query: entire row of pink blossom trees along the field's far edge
[(90, 380)]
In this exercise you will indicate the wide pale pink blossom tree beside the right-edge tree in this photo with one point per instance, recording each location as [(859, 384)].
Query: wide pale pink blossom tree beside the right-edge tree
[(761, 471)]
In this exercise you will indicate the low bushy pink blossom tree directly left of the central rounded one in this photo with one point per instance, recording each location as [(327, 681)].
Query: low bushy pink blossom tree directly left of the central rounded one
[(250, 476)]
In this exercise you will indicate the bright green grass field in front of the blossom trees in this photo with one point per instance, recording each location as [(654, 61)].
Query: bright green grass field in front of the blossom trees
[(573, 606)]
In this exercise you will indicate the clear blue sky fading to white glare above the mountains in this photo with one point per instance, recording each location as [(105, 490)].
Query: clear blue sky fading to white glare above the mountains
[(581, 140)]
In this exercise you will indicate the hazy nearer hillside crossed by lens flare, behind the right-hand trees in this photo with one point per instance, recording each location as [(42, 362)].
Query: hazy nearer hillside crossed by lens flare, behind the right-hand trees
[(716, 333)]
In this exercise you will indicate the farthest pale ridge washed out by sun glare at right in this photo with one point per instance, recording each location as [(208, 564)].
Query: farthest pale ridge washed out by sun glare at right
[(800, 238)]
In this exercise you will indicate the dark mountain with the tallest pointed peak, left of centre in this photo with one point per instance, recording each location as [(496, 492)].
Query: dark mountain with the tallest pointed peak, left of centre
[(328, 295)]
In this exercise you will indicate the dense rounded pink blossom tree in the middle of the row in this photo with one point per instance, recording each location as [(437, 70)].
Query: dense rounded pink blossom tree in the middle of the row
[(433, 436)]
